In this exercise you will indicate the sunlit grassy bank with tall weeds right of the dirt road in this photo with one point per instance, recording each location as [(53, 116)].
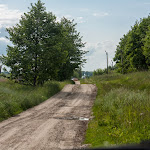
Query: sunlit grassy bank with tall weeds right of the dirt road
[(121, 109)]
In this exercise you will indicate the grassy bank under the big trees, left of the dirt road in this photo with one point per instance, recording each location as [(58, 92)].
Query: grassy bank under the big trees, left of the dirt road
[(15, 98)]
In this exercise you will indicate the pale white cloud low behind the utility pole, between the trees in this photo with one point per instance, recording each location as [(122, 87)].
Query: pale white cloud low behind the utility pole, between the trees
[(96, 58)]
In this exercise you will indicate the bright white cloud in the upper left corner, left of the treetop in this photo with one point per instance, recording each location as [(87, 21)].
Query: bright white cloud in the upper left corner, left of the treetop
[(8, 16)]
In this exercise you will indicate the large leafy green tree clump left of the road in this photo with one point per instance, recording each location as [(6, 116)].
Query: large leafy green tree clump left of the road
[(43, 48)]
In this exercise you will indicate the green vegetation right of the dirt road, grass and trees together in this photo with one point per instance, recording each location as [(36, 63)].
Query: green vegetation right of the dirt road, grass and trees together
[(122, 106)]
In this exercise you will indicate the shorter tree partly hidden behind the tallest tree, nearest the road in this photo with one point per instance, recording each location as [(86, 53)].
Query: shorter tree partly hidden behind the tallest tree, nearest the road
[(72, 44)]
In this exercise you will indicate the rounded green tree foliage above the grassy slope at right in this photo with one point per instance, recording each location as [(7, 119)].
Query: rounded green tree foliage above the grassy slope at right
[(132, 53)]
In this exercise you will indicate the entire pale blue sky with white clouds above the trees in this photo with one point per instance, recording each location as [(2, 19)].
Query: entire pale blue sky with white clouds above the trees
[(101, 23)]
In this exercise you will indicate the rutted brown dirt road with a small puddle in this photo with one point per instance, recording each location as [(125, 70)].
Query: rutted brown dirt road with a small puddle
[(57, 123)]
